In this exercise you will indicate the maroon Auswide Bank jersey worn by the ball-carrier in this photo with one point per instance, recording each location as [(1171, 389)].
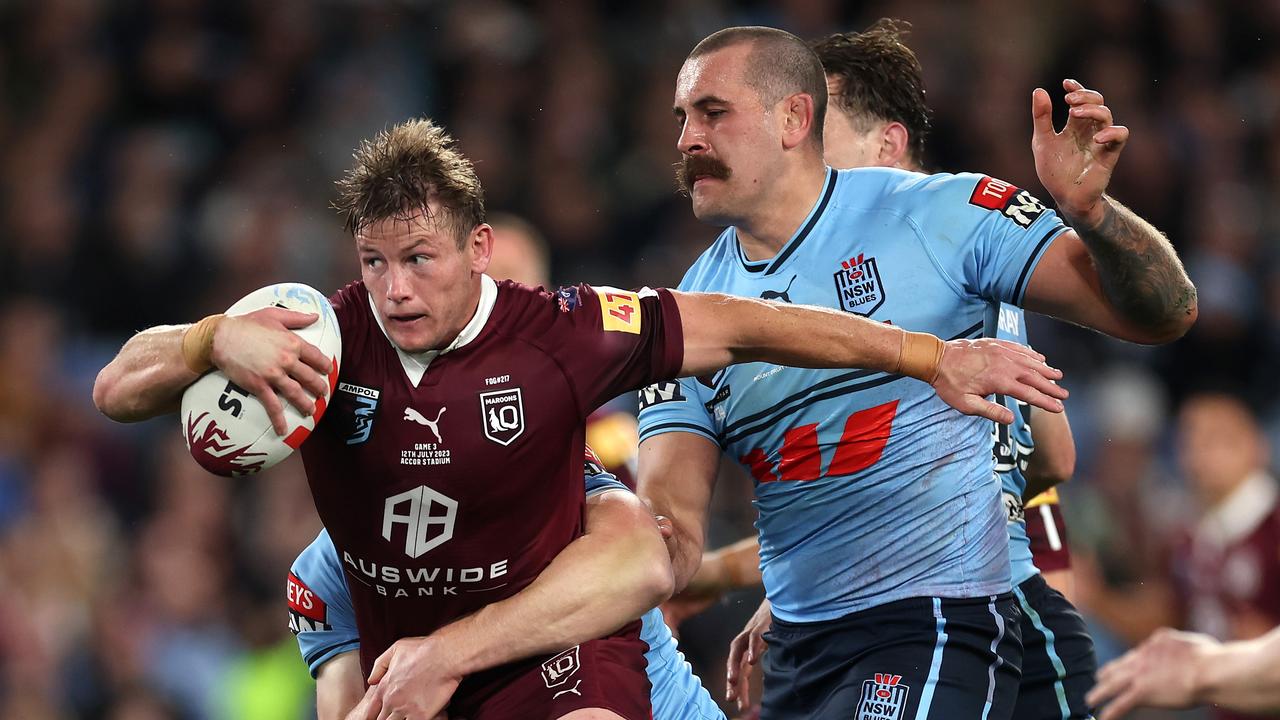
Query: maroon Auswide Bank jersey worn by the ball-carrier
[(451, 484)]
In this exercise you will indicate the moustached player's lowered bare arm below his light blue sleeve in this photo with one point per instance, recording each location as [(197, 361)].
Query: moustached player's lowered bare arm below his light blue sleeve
[(676, 477)]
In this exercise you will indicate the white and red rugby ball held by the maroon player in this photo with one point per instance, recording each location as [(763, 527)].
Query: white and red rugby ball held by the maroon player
[(227, 429)]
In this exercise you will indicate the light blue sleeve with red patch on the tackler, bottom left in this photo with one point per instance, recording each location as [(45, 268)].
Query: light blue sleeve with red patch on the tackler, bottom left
[(321, 610)]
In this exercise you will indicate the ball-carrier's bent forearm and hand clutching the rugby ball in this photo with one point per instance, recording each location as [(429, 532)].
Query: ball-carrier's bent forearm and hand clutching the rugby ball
[(258, 352)]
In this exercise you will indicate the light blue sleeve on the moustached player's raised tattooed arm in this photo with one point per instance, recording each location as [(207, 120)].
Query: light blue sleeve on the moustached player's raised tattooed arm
[(986, 235)]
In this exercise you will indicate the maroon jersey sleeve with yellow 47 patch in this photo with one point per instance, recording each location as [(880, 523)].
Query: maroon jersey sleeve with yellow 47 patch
[(610, 341)]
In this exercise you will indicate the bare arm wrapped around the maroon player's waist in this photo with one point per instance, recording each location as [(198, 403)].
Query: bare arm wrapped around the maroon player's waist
[(611, 576)]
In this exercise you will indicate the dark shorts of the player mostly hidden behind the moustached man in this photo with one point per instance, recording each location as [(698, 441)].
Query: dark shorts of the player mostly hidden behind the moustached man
[(1058, 657)]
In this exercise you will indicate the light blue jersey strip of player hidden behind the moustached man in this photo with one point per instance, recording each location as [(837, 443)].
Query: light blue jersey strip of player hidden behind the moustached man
[(1013, 446)]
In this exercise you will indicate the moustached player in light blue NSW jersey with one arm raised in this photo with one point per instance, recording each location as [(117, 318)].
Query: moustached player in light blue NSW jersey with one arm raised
[(883, 535)]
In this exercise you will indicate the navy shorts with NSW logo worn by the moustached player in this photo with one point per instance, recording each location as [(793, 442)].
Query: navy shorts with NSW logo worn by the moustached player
[(907, 660)]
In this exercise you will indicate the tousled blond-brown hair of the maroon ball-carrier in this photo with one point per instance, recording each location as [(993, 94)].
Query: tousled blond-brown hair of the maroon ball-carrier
[(401, 171)]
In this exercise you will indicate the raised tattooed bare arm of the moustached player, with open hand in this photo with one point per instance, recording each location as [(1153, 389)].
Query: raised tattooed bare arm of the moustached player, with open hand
[(1114, 272)]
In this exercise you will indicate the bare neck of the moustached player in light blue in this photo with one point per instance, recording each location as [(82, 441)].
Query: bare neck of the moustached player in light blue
[(787, 207)]
